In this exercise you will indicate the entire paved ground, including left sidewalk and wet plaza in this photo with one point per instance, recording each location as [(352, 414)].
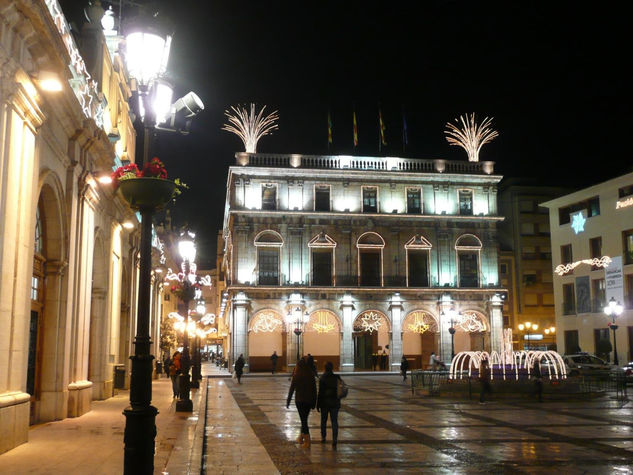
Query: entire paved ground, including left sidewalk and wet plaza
[(246, 428)]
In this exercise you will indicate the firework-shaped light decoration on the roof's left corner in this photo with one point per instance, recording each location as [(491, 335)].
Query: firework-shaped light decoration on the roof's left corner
[(249, 126)]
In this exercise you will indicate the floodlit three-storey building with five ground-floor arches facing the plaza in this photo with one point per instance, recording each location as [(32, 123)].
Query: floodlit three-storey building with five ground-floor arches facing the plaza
[(373, 253)]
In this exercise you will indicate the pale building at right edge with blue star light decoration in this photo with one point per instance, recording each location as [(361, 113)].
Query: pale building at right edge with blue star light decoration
[(589, 228)]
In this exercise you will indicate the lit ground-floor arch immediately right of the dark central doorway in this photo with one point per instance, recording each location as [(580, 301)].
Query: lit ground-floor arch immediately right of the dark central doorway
[(419, 338)]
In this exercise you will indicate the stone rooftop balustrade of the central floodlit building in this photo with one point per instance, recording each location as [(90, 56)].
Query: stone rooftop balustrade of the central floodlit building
[(338, 162)]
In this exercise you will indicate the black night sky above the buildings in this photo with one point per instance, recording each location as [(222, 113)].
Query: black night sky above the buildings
[(554, 75)]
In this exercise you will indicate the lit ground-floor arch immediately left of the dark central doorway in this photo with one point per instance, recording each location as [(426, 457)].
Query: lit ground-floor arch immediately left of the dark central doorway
[(322, 338)]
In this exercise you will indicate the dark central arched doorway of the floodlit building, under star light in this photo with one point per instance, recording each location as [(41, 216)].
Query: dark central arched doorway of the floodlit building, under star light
[(371, 341)]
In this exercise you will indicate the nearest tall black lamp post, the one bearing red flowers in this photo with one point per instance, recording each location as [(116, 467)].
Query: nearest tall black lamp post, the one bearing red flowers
[(146, 58)]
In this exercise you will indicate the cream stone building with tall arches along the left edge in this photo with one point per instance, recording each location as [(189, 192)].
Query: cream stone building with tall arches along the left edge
[(68, 265)]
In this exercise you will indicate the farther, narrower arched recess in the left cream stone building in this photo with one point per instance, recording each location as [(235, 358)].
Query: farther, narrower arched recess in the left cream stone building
[(99, 341)]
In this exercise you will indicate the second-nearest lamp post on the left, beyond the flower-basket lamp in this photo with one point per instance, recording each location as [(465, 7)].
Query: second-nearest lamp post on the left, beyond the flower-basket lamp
[(187, 250)]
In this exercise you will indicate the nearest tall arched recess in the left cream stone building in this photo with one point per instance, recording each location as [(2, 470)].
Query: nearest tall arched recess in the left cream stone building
[(46, 350)]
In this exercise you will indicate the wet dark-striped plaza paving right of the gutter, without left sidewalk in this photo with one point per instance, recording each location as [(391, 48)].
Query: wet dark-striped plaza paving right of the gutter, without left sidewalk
[(383, 428)]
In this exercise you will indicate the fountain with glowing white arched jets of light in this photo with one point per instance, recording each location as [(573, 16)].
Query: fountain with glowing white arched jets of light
[(509, 361)]
